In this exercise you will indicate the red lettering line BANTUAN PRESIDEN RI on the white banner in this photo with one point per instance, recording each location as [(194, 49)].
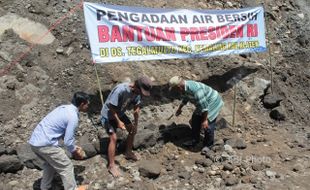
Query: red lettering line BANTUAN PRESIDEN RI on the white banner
[(150, 34)]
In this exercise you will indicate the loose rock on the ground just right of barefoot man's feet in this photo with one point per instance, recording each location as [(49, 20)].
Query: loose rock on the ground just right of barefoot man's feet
[(150, 168)]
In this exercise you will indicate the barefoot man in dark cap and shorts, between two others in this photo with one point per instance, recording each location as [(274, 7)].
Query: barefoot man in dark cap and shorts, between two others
[(113, 116)]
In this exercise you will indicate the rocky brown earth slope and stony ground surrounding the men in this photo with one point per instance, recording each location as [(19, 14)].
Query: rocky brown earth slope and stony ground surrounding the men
[(268, 148)]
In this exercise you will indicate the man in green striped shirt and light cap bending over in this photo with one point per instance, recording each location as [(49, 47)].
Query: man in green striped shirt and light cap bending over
[(208, 104)]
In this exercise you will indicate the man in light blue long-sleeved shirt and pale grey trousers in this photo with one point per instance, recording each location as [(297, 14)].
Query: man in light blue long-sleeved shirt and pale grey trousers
[(58, 124)]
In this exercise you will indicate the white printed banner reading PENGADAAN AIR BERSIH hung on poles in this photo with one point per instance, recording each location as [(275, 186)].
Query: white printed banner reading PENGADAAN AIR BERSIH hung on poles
[(122, 33)]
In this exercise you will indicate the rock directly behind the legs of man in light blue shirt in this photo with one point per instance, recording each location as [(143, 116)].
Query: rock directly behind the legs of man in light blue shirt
[(28, 157)]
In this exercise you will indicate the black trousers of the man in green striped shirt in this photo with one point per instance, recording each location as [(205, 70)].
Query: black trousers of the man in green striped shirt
[(208, 133)]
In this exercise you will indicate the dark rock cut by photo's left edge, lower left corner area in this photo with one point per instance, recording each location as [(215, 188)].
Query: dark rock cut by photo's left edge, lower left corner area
[(10, 164)]
